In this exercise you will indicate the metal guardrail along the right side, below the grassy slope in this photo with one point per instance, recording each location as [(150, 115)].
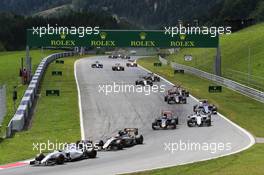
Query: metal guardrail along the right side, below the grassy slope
[(243, 89)]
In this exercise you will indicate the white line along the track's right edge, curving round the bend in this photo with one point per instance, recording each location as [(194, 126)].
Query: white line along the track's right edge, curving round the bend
[(252, 139)]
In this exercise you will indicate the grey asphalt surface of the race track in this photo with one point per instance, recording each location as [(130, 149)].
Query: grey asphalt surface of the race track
[(104, 115)]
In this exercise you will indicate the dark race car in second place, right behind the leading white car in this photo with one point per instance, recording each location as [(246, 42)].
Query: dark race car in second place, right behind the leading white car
[(125, 138)]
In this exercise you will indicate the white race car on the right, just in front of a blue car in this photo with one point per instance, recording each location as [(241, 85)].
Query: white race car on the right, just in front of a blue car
[(199, 119)]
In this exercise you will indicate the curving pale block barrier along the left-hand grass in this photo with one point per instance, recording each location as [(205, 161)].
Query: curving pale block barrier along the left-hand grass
[(17, 123)]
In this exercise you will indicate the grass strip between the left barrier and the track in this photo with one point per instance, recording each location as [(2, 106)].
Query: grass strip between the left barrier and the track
[(56, 118)]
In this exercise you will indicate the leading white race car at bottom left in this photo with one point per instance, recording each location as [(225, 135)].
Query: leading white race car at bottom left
[(58, 157)]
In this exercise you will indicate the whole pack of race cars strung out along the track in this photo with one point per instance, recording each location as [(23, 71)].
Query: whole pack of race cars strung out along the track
[(87, 149)]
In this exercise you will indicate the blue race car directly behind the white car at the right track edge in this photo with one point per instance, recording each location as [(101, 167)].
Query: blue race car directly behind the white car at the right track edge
[(205, 107)]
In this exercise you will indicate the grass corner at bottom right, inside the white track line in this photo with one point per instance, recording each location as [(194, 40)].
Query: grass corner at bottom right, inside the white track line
[(248, 162)]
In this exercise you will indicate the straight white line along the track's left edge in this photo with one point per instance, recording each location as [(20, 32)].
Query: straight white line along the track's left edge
[(79, 102)]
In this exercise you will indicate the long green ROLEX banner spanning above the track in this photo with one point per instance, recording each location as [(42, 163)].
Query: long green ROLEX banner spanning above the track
[(122, 38)]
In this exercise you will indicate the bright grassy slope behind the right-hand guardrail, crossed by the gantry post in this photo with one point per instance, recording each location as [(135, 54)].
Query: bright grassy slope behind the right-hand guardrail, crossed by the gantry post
[(235, 54)]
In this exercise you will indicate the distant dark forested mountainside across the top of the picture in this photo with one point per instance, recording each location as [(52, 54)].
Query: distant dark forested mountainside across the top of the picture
[(147, 13)]
